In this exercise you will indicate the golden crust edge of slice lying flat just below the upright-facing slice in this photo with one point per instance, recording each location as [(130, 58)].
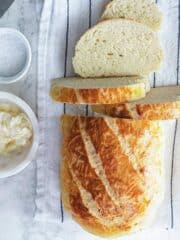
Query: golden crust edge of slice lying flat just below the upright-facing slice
[(110, 95)]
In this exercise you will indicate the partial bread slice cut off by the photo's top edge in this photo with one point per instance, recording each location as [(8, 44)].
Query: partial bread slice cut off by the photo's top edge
[(144, 11)]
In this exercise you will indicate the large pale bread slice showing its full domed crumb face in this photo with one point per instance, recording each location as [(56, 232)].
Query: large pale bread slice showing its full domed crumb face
[(117, 48)]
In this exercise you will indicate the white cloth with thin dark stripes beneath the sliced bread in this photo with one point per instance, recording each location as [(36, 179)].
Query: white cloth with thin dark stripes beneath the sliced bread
[(69, 19)]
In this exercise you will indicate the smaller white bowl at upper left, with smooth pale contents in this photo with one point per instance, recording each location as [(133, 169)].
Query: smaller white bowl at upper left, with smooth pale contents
[(15, 56)]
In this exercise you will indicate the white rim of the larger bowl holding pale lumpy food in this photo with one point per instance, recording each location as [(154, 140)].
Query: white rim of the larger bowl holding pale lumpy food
[(35, 143)]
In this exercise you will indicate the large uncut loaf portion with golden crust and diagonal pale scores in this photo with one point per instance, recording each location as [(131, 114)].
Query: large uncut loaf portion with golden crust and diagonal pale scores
[(111, 175)]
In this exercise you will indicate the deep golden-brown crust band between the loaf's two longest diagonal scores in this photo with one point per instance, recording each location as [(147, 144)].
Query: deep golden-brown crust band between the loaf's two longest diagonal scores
[(103, 137)]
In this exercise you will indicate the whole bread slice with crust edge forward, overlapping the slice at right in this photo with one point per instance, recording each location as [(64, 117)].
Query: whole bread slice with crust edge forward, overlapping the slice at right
[(99, 90)]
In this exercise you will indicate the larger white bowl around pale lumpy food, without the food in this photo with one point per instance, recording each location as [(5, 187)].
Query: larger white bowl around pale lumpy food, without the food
[(17, 162)]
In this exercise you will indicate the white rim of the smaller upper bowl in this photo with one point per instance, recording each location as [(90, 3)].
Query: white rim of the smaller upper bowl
[(19, 76)]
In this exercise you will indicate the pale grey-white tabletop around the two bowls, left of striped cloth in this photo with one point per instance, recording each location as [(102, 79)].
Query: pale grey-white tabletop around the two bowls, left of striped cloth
[(17, 193)]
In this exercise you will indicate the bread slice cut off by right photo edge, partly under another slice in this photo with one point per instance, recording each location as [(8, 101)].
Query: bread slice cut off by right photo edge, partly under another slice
[(161, 103)]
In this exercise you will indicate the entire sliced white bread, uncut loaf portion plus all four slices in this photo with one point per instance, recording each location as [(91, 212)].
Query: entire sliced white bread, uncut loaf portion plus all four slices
[(112, 174)]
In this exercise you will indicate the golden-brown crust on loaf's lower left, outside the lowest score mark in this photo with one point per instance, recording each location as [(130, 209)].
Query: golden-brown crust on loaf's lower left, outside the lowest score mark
[(72, 202)]
